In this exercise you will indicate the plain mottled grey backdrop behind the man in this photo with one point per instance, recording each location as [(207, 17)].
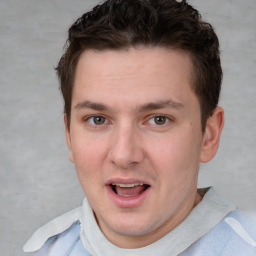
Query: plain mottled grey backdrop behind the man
[(37, 182)]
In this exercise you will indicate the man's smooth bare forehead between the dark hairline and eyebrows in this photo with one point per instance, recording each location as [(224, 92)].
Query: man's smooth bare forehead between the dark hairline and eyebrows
[(139, 73)]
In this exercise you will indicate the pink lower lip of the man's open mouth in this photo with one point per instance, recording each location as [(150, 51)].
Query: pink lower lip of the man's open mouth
[(127, 202)]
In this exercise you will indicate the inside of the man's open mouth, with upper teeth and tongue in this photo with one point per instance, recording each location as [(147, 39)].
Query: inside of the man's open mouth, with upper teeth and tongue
[(129, 190)]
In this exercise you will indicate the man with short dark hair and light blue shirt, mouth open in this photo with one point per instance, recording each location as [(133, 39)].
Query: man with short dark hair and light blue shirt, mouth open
[(141, 81)]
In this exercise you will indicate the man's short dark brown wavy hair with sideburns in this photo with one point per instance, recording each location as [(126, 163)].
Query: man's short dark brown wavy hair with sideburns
[(119, 24)]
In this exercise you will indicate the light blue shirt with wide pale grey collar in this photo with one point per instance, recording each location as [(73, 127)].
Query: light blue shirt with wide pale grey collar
[(213, 228)]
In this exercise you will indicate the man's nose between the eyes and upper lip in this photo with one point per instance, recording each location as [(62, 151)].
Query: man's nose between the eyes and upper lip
[(126, 147)]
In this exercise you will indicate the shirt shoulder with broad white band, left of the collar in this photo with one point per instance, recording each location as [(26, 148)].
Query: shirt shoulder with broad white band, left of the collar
[(65, 228)]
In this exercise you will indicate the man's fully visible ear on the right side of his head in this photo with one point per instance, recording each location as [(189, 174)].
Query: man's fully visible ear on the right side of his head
[(211, 137)]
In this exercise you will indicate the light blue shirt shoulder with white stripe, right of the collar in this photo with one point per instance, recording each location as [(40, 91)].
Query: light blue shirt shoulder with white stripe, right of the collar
[(234, 235)]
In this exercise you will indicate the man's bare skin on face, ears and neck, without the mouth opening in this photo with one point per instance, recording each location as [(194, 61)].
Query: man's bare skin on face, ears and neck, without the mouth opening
[(126, 90)]
